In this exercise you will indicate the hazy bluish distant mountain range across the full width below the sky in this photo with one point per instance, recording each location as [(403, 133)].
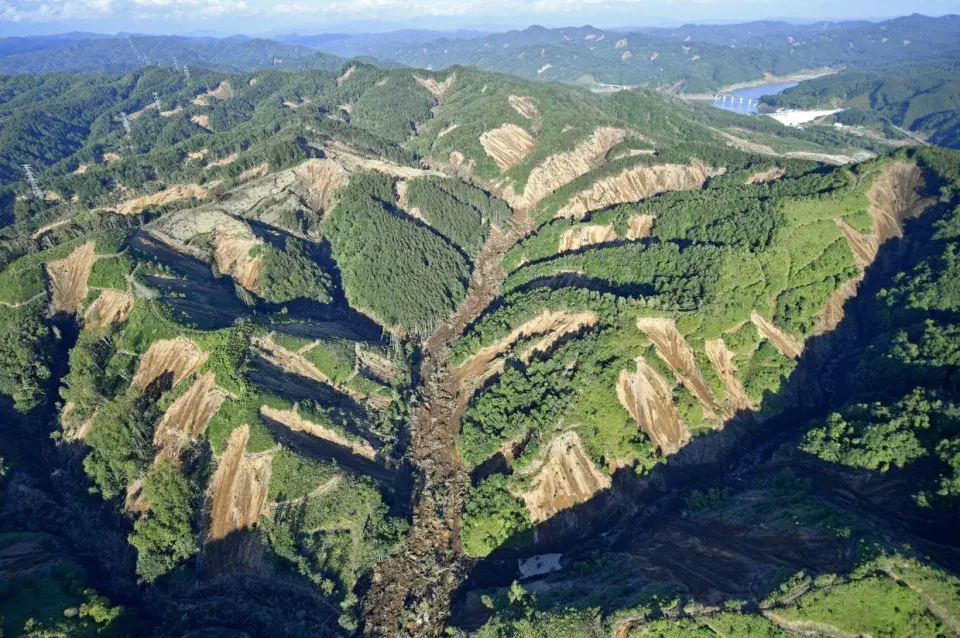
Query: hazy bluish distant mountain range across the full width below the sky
[(688, 59)]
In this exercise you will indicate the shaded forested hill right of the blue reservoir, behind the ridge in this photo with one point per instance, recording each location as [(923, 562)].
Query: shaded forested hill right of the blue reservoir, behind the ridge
[(922, 98)]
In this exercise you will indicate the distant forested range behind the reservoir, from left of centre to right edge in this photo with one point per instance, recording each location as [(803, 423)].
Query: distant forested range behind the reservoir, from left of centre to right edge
[(702, 58)]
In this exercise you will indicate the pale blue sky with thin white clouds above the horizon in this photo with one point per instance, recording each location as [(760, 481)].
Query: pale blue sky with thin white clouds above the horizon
[(254, 17)]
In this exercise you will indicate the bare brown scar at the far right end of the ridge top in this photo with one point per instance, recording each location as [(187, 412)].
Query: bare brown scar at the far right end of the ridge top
[(893, 199)]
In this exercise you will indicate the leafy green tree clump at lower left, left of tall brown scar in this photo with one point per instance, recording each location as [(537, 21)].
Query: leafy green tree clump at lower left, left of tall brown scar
[(163, 536)]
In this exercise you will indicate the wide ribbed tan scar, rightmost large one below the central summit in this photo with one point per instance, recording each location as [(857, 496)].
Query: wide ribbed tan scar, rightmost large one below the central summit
[(635, 184)]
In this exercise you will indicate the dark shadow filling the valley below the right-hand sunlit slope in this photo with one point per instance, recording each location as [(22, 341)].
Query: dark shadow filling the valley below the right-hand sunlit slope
[(641, 520)]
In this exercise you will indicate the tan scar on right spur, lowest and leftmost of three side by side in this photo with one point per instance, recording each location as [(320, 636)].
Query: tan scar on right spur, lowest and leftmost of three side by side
[(649, 399)]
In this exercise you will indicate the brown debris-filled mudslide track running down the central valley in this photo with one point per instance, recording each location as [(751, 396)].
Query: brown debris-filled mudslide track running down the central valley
[(410, 592)]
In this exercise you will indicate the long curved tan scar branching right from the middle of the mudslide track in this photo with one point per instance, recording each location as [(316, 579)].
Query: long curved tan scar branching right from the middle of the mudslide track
[(487, 362)]
